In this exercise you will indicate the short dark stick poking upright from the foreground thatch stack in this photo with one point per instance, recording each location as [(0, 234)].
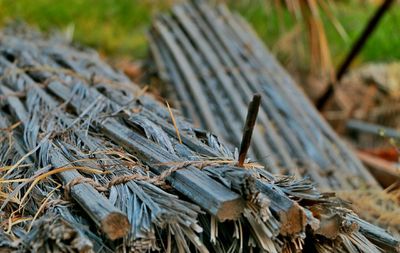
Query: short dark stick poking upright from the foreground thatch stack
[(248, 127)]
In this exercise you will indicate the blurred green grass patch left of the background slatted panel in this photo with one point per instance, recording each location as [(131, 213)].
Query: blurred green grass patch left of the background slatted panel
[(114, 27)]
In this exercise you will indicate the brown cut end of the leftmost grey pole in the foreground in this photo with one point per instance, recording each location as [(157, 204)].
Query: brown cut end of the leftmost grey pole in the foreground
[(115, 225)]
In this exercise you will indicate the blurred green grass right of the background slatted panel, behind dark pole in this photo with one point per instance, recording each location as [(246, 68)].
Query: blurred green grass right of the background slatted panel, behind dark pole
[(353, 16)]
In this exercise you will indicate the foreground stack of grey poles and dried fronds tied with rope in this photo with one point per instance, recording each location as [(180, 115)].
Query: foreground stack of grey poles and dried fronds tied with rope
[(90, 163)]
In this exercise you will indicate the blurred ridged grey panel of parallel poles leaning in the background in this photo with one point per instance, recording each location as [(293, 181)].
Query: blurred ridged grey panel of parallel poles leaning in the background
[(214, 63)]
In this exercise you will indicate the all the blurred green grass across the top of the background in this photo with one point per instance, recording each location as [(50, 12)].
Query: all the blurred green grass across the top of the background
[(117, 28)]
